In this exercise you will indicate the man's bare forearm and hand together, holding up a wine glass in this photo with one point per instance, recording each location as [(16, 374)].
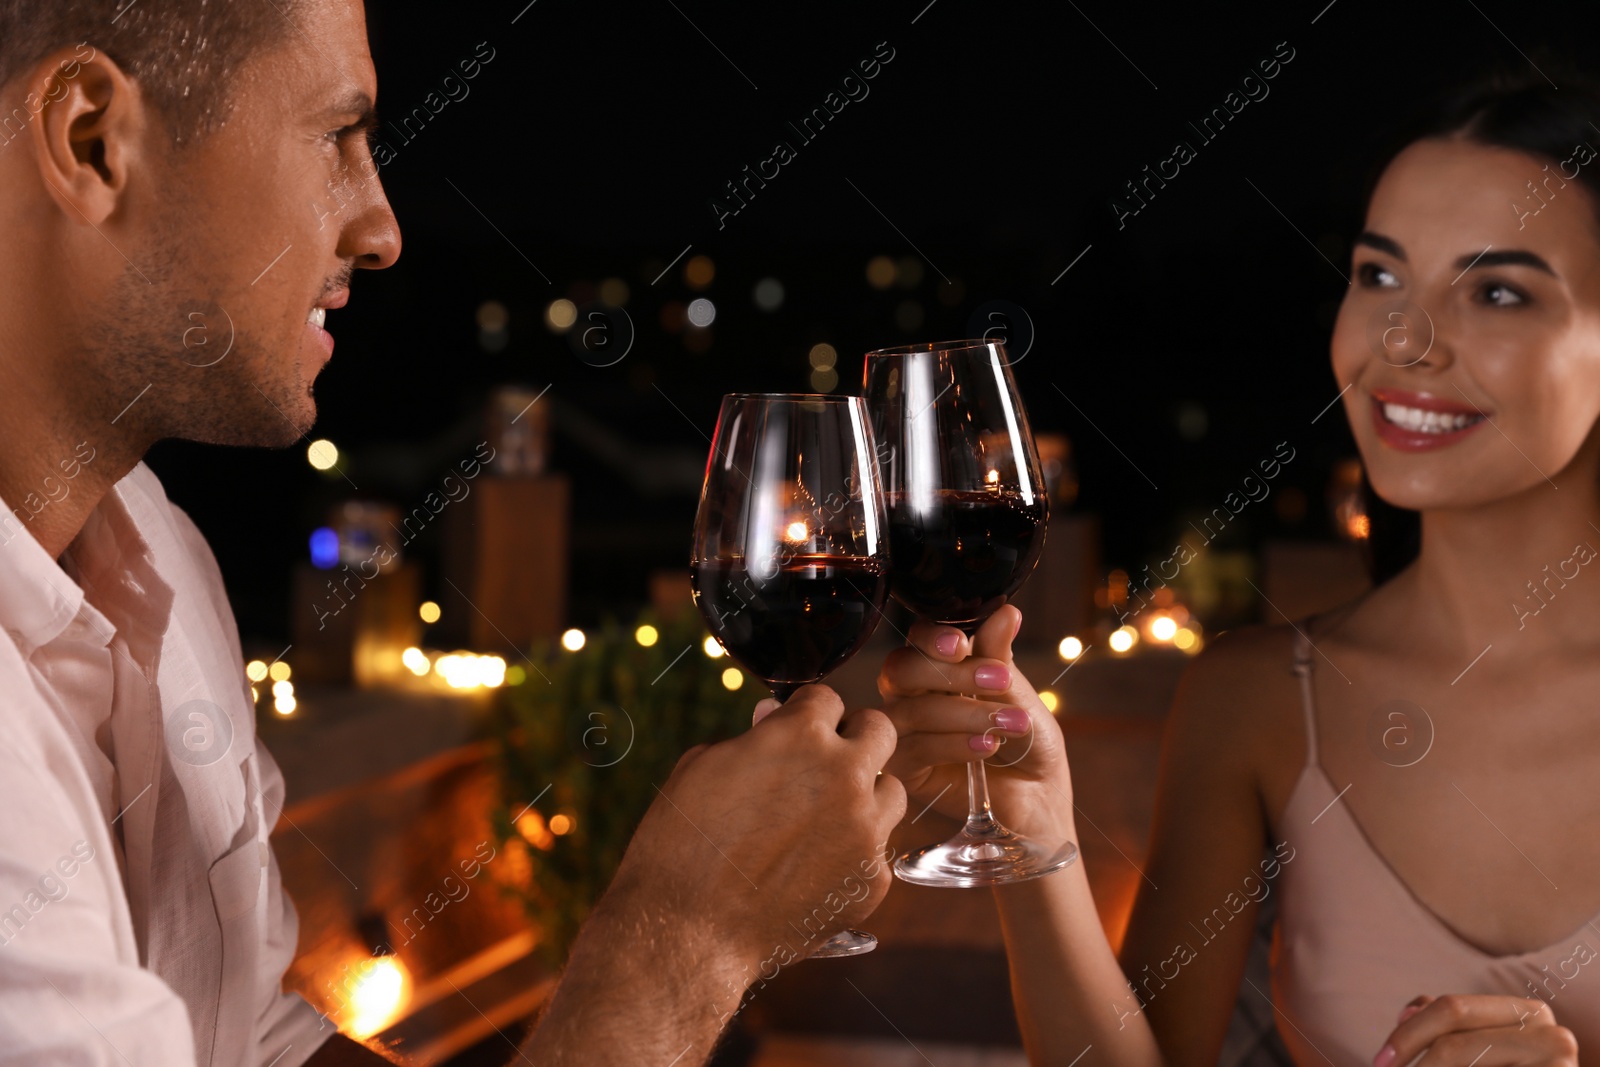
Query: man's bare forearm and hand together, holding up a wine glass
[(754, 853)]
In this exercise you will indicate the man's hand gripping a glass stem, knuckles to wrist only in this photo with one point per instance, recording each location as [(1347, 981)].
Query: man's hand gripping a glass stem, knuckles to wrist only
[(778, 831)]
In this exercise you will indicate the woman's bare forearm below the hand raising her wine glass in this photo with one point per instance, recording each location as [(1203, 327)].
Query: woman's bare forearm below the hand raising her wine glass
[(1066, 983)]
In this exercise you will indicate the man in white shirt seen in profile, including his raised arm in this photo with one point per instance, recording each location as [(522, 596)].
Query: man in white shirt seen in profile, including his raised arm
[(164, 276)]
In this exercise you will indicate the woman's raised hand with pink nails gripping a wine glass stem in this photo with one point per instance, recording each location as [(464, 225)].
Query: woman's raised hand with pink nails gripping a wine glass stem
[(954, 701)]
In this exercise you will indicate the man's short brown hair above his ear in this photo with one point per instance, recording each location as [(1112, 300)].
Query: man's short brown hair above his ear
[(183, 54)]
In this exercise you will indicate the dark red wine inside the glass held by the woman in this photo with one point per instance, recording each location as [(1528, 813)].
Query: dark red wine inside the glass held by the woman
[(959, 561)]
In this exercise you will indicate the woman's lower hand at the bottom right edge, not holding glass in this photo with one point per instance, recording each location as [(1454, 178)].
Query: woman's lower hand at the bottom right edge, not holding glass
[(1487, 1031)]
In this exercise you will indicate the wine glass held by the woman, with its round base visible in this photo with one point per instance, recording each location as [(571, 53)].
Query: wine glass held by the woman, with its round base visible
[(967, 524)]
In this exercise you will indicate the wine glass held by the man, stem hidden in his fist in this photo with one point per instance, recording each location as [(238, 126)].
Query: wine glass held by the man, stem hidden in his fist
[(791, 562)]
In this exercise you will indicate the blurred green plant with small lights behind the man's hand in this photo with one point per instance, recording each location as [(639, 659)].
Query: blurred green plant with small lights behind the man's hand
[(593, 745)]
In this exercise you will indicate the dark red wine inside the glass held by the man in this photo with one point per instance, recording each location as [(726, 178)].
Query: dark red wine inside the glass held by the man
[(796, 626)]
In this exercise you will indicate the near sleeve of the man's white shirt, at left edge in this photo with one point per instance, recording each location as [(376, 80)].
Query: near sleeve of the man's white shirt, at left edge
[(71, 989)]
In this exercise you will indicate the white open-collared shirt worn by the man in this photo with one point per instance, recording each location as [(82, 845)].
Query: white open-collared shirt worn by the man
[(142, 913)]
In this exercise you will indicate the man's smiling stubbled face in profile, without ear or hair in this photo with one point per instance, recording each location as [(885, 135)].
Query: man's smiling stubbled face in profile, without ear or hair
[(257, 231)]
